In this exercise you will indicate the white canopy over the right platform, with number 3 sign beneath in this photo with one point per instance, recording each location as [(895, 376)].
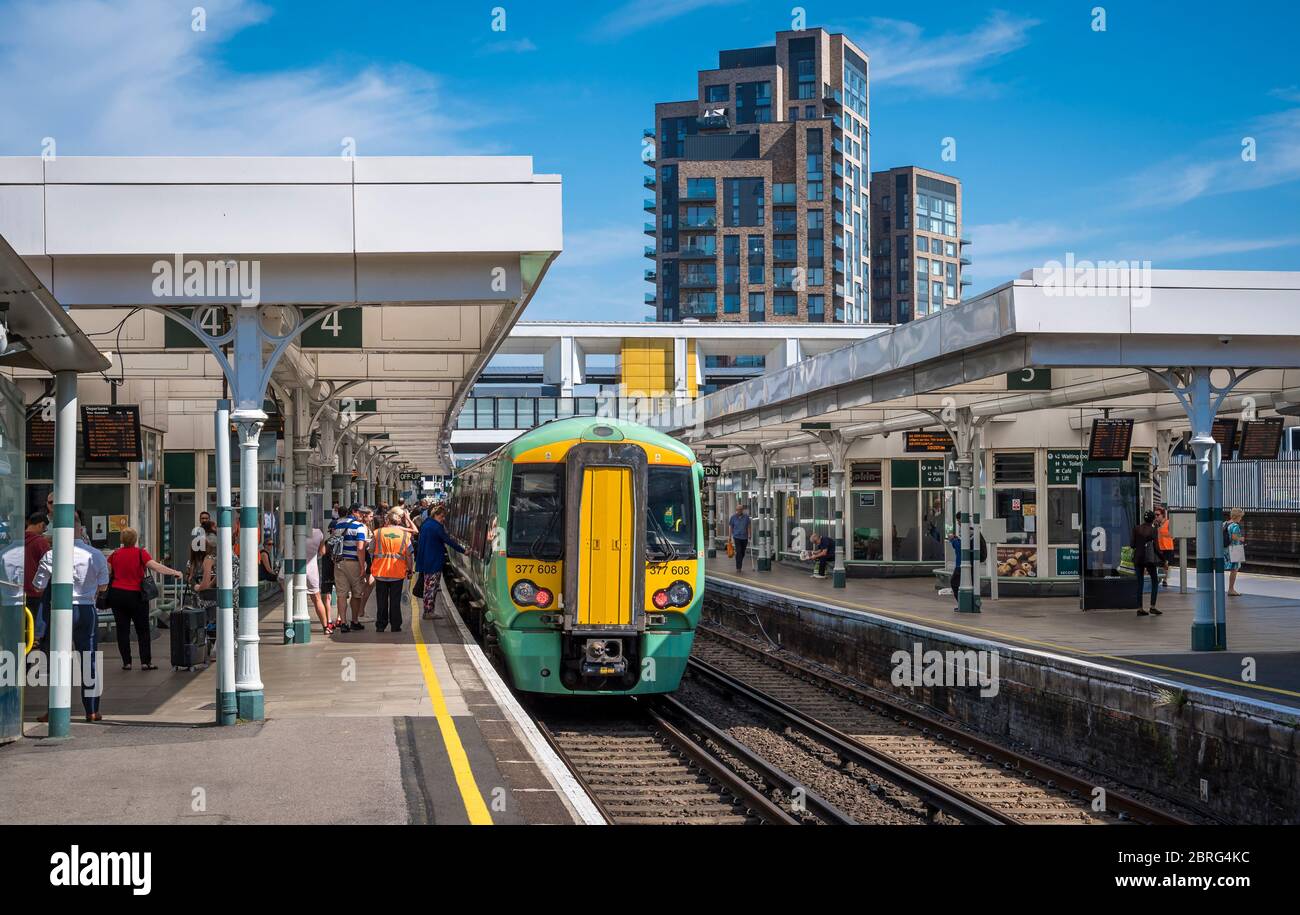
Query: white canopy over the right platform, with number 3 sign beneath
[(1028, 345)]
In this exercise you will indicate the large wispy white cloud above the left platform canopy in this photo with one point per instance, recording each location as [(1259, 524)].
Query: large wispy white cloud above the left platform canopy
[(132, 77)]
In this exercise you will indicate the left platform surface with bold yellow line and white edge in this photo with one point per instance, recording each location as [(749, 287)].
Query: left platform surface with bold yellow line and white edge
[(361, 728)]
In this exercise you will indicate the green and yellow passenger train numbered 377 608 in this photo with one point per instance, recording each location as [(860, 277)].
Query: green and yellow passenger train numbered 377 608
[(584, 569)]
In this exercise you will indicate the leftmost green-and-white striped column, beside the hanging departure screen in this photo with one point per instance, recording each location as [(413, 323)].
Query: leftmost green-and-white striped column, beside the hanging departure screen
[(62, 580)]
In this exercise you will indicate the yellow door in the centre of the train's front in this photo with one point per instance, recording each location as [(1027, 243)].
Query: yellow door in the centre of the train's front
[(605, 548)]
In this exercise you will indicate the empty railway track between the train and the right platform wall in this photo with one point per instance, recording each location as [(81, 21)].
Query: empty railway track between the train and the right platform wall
[(954, 771)]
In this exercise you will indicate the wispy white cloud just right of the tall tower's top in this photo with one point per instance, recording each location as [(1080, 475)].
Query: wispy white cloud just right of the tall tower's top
[(903, 57)]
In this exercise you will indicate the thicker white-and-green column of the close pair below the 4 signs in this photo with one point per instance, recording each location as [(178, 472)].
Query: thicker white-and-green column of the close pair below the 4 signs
[(249, 689)]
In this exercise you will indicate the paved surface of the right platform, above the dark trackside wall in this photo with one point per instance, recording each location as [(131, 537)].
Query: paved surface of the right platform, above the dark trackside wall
[(1263, 625)]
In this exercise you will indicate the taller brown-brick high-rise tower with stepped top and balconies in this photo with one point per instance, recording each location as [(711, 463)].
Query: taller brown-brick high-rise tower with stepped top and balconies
[(761, 198)]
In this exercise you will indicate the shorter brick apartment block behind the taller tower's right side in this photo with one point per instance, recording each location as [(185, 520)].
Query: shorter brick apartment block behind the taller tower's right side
[(917, 245)]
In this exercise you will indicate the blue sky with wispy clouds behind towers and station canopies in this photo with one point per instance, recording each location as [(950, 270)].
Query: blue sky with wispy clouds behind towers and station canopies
[(1124, 144)]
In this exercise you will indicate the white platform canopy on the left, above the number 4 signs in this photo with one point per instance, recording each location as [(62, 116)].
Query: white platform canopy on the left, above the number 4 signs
[(434, 259)]
